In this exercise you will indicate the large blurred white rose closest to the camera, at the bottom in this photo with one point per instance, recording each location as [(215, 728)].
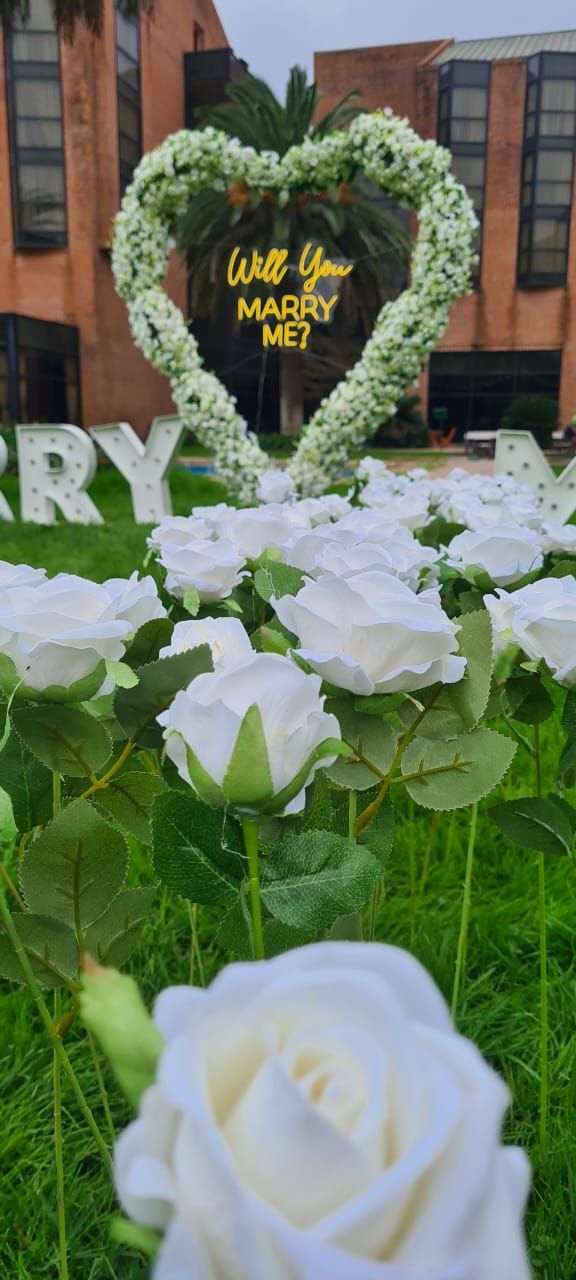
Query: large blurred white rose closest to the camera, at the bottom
[(318, 1118)]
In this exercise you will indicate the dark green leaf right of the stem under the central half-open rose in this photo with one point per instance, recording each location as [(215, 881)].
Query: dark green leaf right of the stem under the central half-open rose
[(316, 879)]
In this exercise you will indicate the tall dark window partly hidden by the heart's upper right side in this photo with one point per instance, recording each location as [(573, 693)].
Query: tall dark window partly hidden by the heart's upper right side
[(463, 126)]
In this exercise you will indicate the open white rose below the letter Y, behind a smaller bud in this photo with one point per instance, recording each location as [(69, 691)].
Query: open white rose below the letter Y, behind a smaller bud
[(212, 569)]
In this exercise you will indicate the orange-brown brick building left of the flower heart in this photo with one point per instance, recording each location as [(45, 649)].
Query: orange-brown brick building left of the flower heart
[(75, 121)]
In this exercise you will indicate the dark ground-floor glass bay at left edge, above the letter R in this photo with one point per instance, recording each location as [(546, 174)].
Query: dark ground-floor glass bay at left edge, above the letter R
[(39, 372)]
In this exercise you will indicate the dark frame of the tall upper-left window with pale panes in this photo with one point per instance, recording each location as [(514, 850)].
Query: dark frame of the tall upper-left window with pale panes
[(19, 71)]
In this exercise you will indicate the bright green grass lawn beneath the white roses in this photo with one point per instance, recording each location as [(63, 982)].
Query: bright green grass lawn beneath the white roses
[(500, 1003)]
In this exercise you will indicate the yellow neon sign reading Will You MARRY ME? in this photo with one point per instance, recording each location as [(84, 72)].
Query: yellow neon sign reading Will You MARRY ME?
[(292, 313)]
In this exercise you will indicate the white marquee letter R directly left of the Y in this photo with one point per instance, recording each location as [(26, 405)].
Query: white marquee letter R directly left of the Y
[(56, 463)]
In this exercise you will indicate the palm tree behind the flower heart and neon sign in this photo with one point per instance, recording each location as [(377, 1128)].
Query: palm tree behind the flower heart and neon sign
[(346, 222)]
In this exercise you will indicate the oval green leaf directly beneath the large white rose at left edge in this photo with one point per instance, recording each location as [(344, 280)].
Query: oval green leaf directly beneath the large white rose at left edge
[(65, 739)]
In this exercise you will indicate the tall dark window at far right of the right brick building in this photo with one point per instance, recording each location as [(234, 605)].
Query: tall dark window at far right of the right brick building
[(547, 170)]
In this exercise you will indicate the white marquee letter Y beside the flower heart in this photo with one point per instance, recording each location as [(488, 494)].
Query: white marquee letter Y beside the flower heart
[(144, 465)]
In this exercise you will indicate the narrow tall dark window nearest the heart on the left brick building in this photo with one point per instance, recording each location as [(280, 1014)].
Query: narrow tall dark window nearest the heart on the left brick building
[(129, 80)]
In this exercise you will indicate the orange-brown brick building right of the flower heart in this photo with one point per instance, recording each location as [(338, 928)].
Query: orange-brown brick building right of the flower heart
[(508, 109)]
